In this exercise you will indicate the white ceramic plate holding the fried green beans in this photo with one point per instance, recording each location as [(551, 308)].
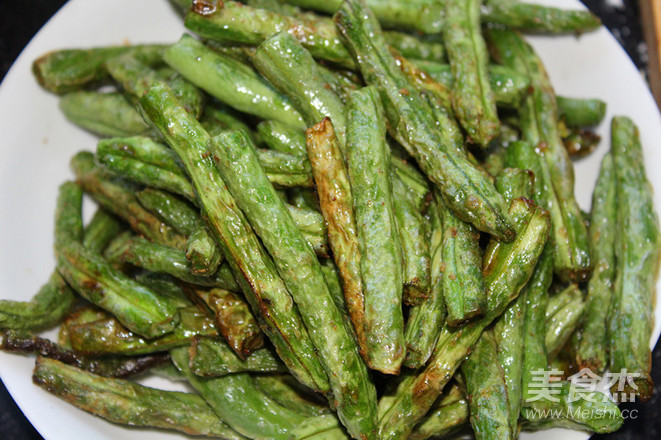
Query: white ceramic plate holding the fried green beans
[(37, 143)]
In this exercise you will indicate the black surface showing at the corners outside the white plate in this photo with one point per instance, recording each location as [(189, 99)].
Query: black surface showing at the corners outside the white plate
[(21, 19)]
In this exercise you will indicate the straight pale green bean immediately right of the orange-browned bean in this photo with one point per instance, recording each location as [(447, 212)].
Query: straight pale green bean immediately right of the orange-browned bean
[(368, 166)]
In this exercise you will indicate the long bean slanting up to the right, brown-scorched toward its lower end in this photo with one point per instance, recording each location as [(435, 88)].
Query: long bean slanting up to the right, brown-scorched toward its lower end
[(506, 272)]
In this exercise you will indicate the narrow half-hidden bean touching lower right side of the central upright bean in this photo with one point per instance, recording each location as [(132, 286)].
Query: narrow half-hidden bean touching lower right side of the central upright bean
[(425, 320)]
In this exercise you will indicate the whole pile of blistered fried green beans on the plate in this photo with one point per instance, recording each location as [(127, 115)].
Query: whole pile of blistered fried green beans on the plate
[(332, 231)]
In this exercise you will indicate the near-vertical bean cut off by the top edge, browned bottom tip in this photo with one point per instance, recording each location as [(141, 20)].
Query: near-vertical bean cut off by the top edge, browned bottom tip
[(472, 98)]
